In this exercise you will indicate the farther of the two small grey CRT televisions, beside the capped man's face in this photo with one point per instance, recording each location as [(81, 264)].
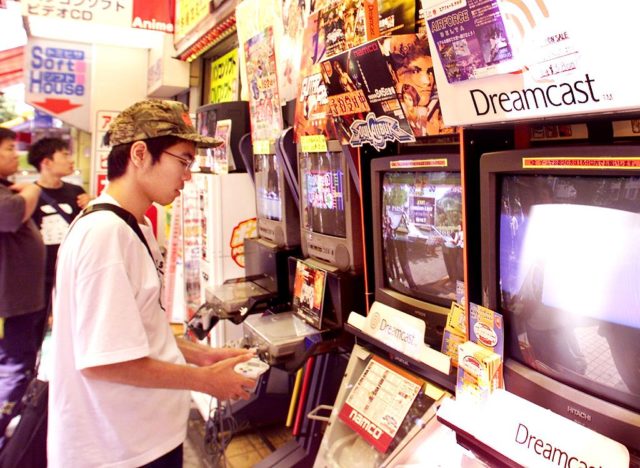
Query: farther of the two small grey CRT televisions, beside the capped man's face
[(277, 214)]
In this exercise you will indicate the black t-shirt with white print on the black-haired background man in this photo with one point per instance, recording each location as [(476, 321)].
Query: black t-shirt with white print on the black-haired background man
[(52, 225)]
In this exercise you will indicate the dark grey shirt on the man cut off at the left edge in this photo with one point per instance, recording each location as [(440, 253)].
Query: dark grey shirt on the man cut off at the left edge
[(22, 258)]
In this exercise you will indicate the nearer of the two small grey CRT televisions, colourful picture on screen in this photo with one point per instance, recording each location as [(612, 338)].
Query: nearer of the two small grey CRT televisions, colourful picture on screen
[(329, 209)]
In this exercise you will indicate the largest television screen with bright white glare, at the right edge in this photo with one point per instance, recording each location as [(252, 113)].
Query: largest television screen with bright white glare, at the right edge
[(569, 276)]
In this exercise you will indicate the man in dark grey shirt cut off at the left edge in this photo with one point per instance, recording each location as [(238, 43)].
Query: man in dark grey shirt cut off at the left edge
[(22, 302)]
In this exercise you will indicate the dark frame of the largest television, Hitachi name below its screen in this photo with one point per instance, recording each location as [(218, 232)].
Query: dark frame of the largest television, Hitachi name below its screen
[(605, 417)]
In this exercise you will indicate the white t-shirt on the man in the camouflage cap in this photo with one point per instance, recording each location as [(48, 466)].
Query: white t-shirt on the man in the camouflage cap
[(106, 311)]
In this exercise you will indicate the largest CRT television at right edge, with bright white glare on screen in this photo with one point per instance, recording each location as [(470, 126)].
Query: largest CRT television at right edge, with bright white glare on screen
[(561, 261)]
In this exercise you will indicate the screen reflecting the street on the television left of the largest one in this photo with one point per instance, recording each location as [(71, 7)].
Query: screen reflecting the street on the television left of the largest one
[(422, 238)]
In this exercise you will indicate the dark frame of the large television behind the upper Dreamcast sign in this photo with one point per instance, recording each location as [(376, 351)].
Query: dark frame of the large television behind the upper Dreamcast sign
[(434, 313)]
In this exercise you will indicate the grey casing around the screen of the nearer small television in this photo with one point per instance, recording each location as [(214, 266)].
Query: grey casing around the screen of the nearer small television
[(342, 253)]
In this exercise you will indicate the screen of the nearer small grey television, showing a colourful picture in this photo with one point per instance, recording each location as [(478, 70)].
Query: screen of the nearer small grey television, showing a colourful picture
[(322, 186)]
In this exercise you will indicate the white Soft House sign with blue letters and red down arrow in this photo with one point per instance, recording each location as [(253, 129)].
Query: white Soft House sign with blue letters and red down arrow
[(57, 78)]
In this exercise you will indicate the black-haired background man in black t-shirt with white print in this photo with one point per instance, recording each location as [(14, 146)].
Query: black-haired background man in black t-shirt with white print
[(60, 202)]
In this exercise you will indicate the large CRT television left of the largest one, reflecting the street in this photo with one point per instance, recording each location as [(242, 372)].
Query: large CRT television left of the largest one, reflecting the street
[(417, 235)]
